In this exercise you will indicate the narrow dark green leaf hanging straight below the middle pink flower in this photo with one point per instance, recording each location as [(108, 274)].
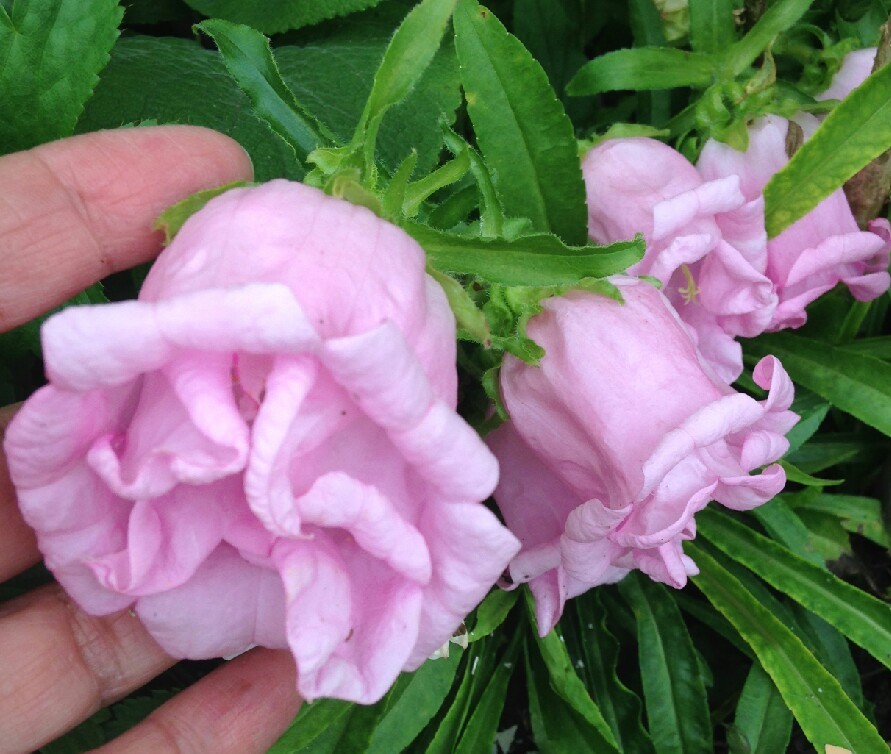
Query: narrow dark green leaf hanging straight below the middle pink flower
[(677, 706)]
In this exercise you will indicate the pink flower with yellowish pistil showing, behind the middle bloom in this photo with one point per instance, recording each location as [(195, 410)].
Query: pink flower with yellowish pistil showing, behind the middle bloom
[(640, 185)]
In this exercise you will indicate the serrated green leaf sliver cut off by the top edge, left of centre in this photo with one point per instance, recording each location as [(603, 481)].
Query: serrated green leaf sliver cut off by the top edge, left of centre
[(279, 16)]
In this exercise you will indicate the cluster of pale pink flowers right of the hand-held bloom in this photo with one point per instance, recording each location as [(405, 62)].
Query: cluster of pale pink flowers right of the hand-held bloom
[(629, 426)]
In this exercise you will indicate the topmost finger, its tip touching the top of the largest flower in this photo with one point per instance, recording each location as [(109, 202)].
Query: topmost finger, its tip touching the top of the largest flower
[(75, 210)]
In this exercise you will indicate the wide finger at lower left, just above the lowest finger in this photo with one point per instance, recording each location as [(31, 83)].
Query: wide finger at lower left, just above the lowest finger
[(60, 665)]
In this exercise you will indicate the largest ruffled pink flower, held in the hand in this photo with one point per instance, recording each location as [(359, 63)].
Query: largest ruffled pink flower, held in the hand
[(264, 450)]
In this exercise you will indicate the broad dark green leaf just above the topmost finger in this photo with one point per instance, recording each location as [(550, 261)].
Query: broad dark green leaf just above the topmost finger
[(176, 81)]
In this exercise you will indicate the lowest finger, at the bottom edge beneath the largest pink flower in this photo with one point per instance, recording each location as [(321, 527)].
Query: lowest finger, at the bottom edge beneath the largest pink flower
[(240, 708)]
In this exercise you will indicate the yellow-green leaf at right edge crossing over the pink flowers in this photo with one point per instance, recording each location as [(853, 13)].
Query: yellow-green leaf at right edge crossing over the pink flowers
[(852, 136)]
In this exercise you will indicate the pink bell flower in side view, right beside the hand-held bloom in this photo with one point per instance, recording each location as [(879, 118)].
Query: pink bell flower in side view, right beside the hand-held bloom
[(619, 438)]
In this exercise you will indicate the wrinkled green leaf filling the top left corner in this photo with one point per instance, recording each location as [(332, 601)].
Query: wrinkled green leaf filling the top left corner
[(52, 53)]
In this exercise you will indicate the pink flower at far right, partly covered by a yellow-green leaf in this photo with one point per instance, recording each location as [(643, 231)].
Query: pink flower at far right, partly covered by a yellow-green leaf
[(821, 249)]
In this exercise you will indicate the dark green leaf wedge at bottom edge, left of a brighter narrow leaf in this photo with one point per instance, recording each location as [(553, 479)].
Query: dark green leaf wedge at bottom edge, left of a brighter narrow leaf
[(556, 726)]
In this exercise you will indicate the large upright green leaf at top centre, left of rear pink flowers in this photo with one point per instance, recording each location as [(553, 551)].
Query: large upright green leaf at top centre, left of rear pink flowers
[(525, 137)]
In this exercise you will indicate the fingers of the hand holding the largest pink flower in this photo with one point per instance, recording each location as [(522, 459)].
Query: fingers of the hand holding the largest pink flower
[(72, 212)]
